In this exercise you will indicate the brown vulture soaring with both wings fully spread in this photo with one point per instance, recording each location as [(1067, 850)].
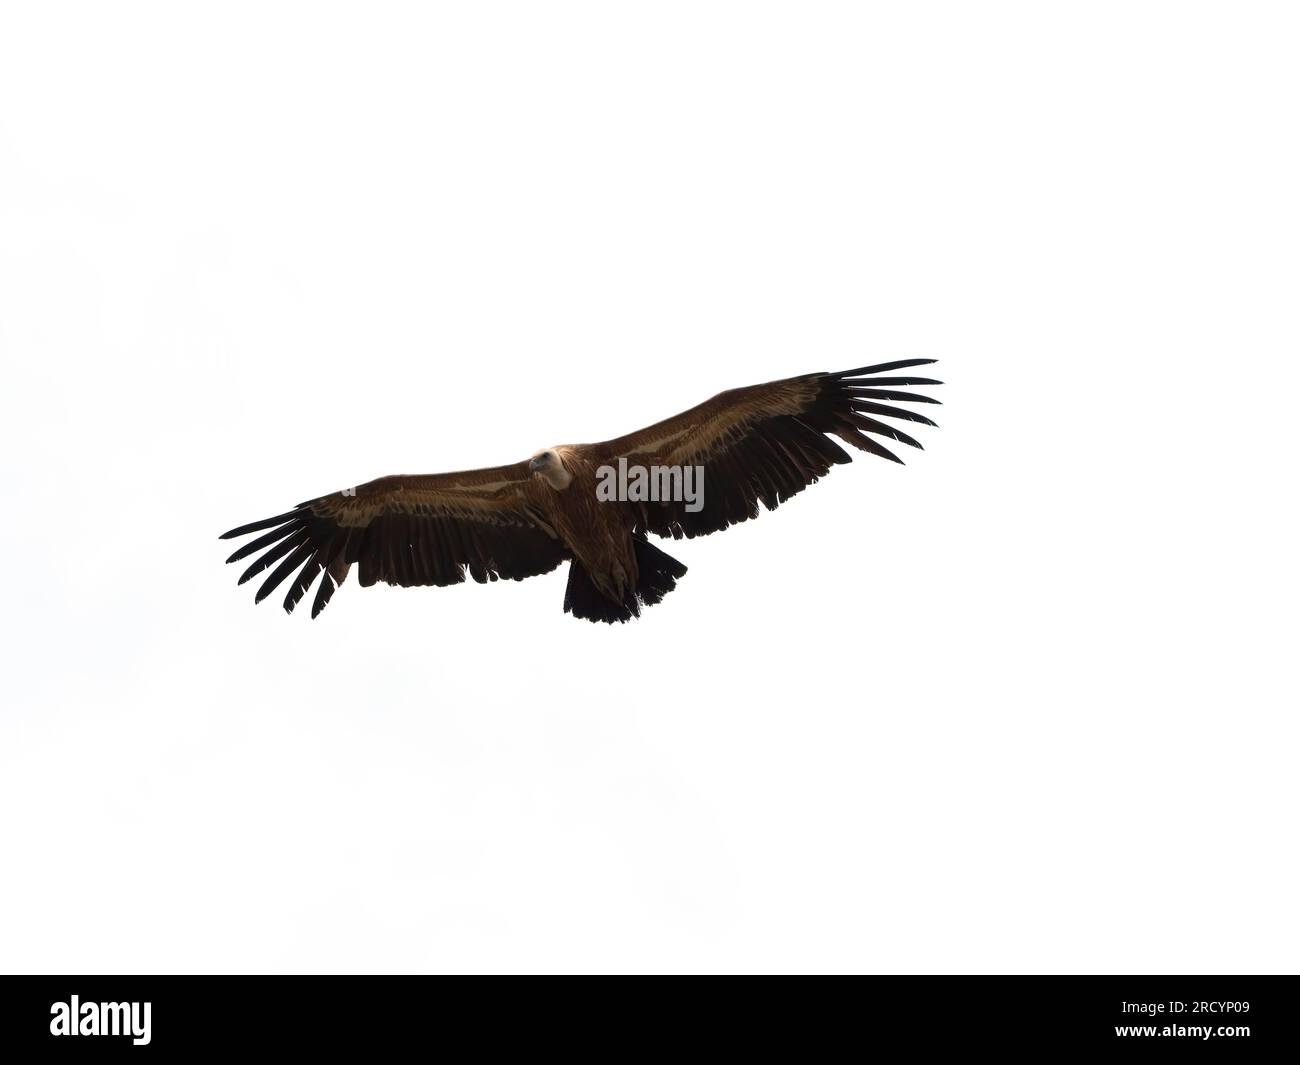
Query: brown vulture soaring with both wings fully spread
[(756, 445)]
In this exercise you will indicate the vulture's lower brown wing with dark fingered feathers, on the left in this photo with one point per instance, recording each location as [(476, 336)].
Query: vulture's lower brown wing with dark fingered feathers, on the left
[(408, 531)]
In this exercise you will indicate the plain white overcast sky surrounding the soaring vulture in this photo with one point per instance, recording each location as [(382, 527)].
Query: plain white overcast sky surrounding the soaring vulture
[(1028, 704)]
